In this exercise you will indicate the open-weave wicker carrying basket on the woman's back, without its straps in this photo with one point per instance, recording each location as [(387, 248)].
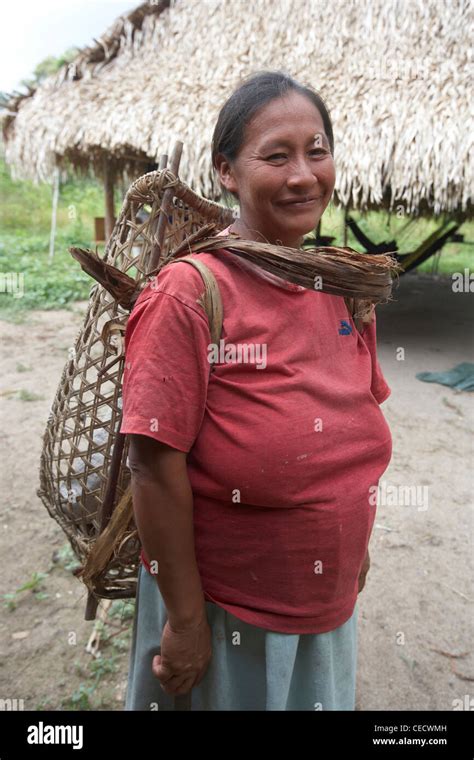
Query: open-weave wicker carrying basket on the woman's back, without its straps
[(83, 472)]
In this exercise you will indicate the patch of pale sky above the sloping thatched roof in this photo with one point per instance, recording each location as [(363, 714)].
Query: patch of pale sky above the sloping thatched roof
[(35, 29)]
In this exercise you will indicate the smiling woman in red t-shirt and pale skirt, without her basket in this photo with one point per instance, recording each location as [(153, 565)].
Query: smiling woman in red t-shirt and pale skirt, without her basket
[(251, 482)]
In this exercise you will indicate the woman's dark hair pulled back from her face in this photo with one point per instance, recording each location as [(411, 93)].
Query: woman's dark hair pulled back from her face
[(252, 94)]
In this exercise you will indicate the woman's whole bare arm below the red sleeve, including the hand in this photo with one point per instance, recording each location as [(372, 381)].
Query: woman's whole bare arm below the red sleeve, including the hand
[(163, 507)]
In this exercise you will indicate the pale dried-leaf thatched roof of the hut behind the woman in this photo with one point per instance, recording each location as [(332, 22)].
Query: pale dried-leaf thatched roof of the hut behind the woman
[(396, 75)]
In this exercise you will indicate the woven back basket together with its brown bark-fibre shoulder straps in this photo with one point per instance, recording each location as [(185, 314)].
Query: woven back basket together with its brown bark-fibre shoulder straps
[(85, 481)]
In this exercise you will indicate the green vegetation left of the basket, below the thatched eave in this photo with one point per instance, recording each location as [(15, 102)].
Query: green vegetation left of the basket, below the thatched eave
[(25, 219)]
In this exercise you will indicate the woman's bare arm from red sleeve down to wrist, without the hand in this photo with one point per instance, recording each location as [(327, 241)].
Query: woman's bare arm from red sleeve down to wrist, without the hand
[(163, 507)]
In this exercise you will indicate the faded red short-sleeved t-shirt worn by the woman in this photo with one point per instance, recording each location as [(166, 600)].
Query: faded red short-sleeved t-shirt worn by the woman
[(285, 437)]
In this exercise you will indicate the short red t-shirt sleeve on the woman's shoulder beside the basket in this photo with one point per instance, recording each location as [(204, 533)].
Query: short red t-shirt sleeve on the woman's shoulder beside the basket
[(166, 371)]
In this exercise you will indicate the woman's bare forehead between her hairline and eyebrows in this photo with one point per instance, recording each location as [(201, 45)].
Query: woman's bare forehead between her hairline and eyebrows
[(285, 119)]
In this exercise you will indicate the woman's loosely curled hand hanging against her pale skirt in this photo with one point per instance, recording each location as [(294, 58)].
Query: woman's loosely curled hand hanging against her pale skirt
[(185, 656)]
